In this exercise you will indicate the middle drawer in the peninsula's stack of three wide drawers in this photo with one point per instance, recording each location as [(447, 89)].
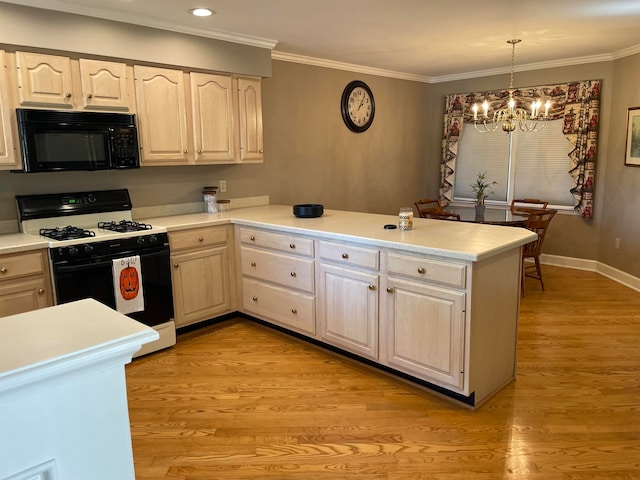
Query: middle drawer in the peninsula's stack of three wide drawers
[(285, 270)]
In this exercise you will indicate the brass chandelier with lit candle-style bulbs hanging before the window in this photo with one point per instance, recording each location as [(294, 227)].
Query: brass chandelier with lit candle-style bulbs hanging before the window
[(512, 116)]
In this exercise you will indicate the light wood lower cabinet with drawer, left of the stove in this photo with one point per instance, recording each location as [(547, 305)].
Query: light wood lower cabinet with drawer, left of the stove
[(25, 283)]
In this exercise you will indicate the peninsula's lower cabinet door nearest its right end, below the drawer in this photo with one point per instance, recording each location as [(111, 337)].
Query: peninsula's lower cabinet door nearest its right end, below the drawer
[(424, 330)]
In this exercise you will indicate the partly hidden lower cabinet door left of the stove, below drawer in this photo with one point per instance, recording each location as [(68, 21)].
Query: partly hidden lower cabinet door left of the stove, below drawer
[(24, 296)]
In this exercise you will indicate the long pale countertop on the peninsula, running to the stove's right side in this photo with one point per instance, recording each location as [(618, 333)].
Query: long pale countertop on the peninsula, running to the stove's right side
[(460, 240)]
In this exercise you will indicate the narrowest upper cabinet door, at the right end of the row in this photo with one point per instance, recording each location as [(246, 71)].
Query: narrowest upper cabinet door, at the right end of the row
[(250, 116)]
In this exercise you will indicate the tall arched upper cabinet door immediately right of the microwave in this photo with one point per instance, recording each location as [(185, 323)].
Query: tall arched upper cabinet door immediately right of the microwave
[(162, 117)]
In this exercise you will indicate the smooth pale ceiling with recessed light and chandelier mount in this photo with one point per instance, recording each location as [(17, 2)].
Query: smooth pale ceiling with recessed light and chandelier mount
[(419, 39)]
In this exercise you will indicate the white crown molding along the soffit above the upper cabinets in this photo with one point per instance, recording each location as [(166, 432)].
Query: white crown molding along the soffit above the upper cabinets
[(114, 14)]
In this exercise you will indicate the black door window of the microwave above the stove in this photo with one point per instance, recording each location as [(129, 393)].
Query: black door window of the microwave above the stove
[(68, 149)]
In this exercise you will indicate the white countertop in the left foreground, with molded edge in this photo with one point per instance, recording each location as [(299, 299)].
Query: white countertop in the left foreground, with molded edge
[(45, 342)]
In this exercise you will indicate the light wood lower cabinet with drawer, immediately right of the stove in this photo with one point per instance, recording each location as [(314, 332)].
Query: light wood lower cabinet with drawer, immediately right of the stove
[(201, 274)]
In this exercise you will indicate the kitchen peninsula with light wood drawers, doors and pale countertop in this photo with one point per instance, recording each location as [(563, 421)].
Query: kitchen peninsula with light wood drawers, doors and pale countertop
[(437, 304)]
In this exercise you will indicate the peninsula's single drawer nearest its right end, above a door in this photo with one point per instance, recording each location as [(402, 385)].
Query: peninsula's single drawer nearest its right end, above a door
[(427, 269)]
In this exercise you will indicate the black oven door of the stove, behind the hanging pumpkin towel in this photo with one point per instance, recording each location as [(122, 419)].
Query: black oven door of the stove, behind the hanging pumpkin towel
[(95, 280)]
